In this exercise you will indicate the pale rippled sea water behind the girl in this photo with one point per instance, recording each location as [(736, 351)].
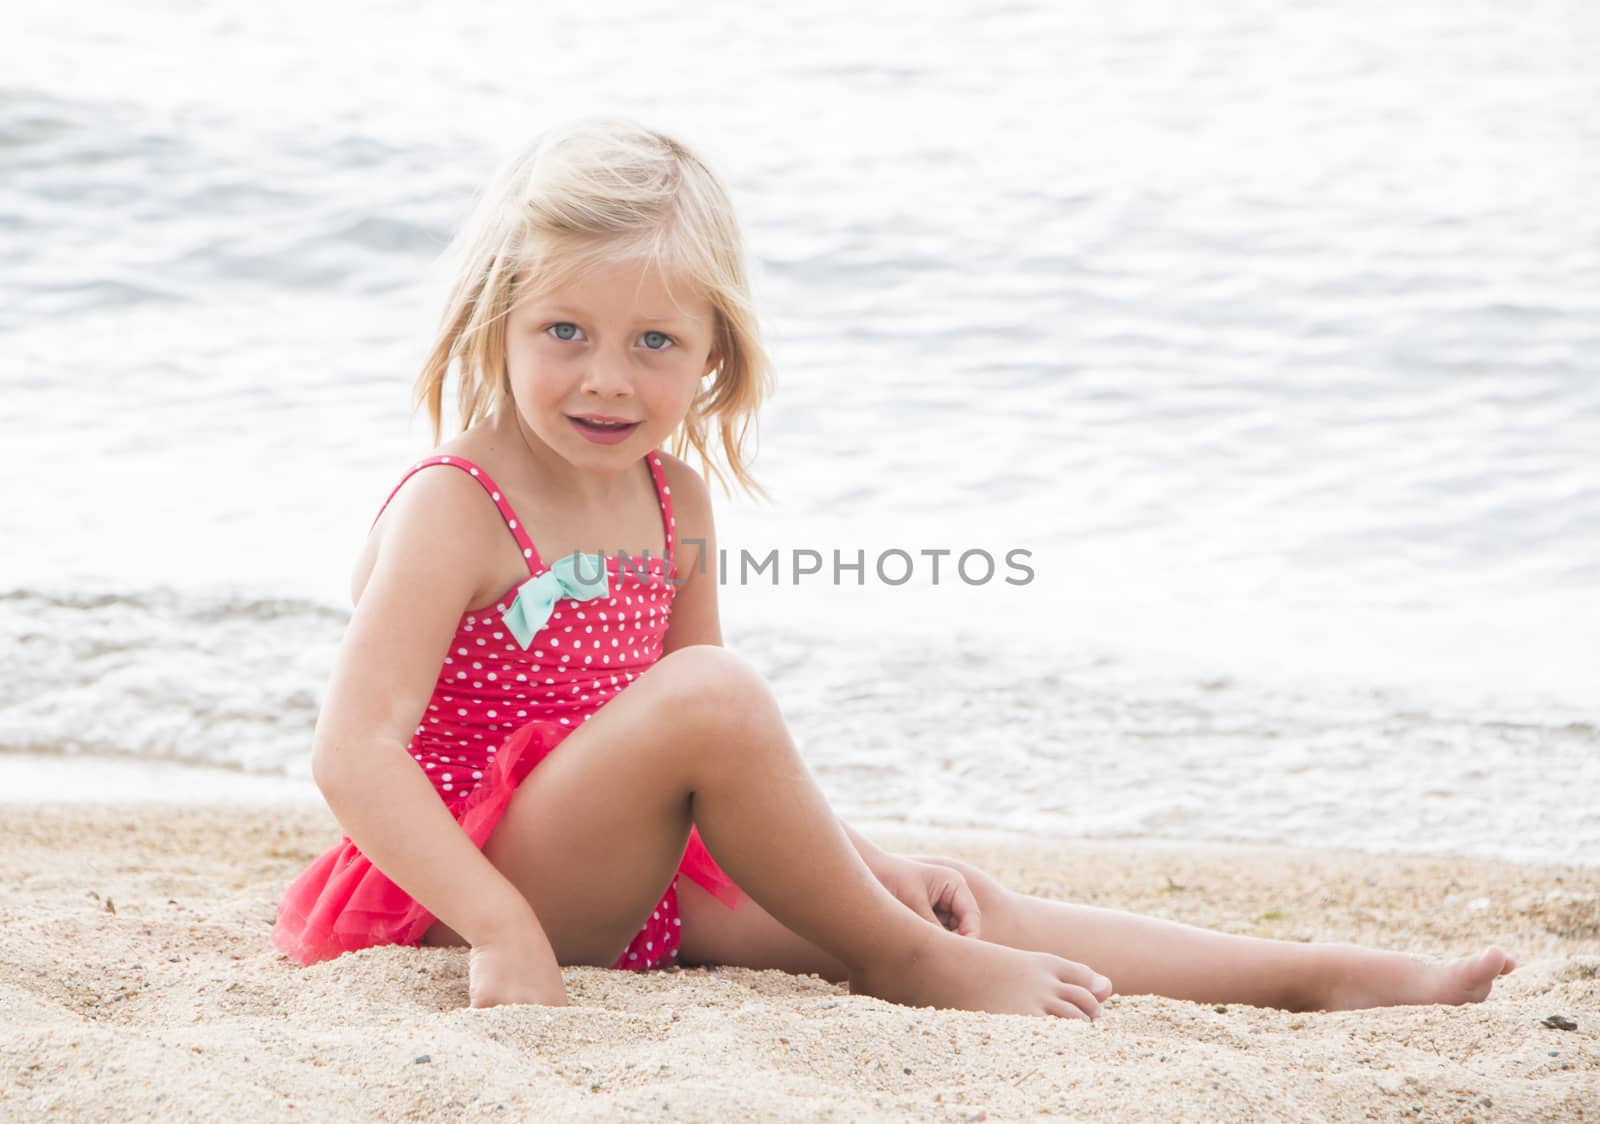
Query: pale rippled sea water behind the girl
[(1271, 337)]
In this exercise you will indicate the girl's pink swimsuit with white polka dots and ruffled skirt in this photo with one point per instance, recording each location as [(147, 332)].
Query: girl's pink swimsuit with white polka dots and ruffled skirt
[(498, 710)]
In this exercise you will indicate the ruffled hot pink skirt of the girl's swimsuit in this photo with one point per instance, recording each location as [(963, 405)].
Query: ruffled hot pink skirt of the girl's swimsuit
[(342, 902)]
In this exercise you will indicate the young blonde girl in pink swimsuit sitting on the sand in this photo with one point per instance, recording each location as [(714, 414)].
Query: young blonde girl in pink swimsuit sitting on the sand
[(532, 721)]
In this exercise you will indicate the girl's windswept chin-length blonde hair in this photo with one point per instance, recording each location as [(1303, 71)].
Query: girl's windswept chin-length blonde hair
[(591, 193)]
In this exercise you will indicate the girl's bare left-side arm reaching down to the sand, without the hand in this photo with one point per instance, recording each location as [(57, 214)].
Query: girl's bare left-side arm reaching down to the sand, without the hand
[(428, 572)]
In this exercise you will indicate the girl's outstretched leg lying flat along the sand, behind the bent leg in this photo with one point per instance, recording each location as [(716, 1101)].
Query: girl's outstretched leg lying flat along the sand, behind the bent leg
[(1140, 955)]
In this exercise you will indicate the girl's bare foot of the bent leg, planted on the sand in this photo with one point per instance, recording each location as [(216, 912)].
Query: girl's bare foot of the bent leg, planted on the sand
[(948, 971)]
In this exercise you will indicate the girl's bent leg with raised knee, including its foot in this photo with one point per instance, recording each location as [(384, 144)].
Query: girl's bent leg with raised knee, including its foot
[(593, 838)]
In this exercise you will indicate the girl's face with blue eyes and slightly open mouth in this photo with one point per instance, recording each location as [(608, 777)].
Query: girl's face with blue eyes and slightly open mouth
[(615, 345)]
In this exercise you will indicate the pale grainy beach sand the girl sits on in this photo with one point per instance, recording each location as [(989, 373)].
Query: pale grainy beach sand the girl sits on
[(140, 984)]
